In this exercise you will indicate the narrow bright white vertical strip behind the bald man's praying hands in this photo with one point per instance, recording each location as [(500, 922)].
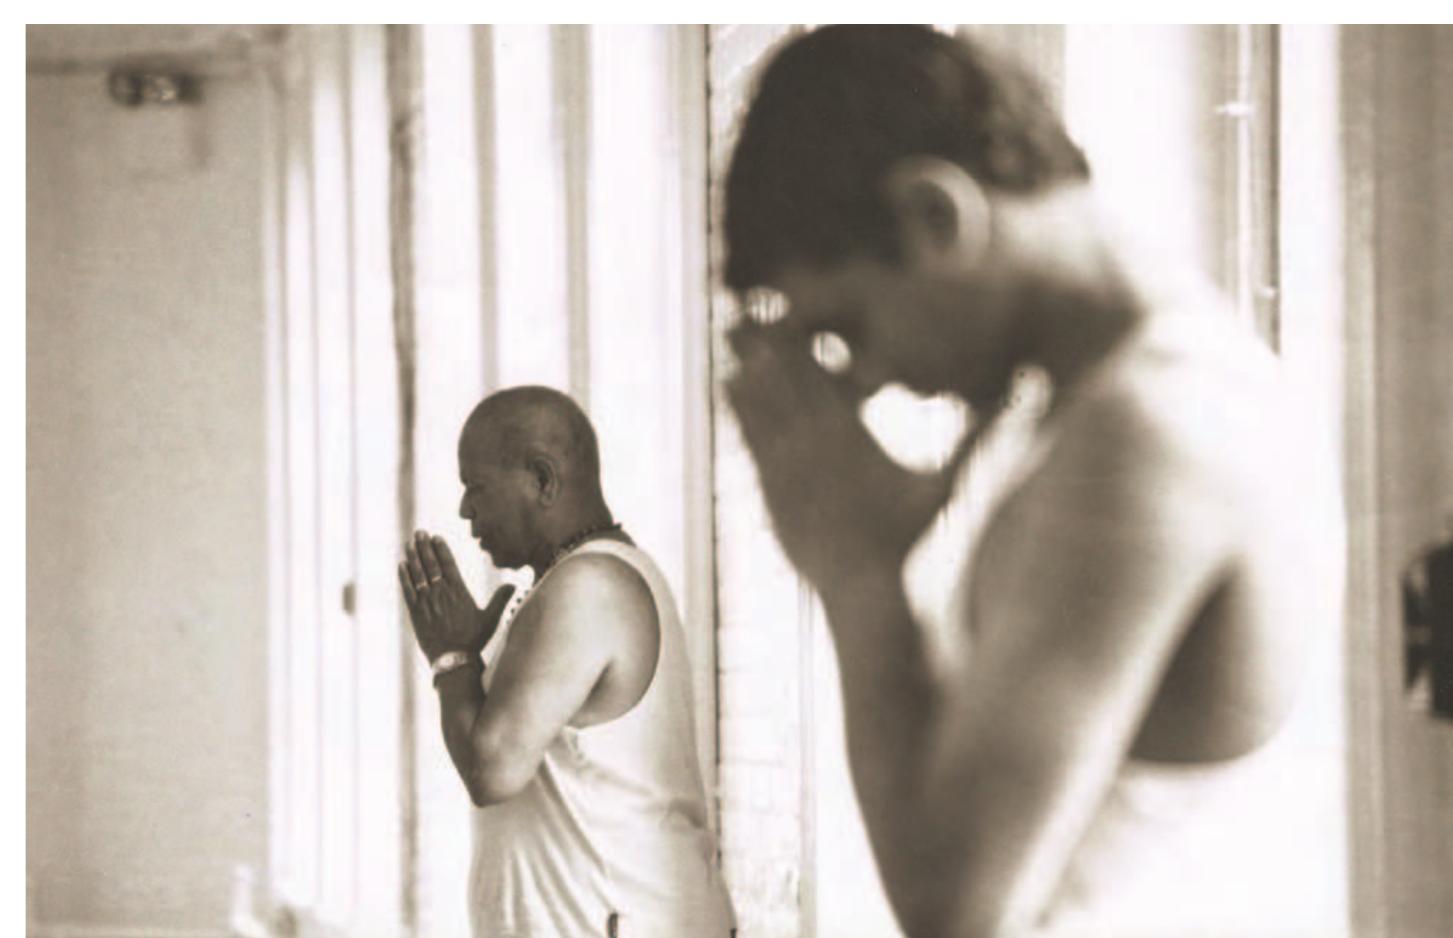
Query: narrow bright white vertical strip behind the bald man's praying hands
[(448, 381)]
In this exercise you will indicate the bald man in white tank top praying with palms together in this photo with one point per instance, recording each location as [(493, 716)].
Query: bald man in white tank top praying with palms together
[(578, 741)]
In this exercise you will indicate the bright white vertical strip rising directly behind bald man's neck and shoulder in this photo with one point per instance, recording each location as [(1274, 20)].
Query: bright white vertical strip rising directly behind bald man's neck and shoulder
[(634, 359)]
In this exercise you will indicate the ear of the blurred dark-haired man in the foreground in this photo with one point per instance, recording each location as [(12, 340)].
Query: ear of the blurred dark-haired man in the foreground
[(941, 213)]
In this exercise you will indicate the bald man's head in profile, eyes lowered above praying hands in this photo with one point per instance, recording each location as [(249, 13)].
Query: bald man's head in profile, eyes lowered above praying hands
[(531, 470)]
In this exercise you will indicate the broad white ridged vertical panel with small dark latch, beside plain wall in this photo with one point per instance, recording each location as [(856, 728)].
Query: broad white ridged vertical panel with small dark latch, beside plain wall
[(335, 638)]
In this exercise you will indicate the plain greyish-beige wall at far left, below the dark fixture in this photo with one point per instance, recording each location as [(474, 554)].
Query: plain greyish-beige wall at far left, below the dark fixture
[(146, 554)]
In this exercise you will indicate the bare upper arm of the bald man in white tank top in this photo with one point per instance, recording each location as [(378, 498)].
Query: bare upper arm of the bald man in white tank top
[(547, 672)]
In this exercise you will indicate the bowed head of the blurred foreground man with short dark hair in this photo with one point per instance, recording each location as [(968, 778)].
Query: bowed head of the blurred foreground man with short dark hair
[(867, 185)]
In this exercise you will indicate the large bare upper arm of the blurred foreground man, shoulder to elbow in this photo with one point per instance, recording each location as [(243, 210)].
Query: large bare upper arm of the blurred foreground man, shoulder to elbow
[(1086, 589)]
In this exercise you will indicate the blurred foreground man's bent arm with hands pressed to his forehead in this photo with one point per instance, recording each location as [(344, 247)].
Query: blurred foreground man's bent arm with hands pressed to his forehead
[(976, 791)]
